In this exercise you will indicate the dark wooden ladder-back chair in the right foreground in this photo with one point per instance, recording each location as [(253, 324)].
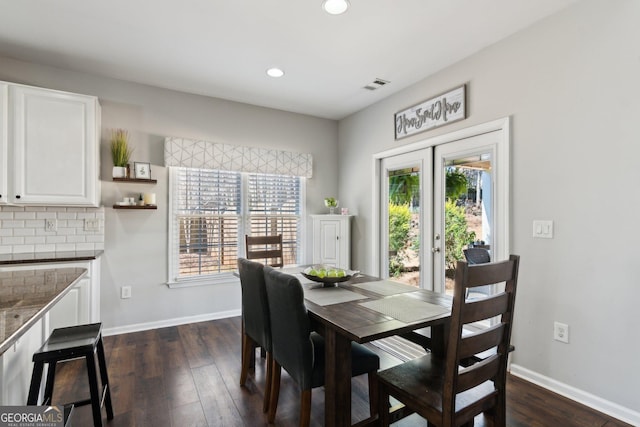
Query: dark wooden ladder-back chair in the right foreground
[(438, 387)]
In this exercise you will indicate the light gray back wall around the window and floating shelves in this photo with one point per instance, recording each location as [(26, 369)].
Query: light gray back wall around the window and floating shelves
[(136, 241)]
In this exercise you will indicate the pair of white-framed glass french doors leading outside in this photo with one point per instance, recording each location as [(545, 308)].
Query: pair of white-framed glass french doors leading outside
[(453, 195)]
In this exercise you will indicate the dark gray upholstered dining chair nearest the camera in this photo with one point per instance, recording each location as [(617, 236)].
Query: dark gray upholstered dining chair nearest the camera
[(300, 351)]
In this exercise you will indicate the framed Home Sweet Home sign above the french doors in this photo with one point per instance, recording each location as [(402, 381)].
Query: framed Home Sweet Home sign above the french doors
[(443, 109)]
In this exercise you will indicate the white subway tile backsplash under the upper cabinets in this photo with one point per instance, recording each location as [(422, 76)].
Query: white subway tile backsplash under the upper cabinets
[(22, 229)]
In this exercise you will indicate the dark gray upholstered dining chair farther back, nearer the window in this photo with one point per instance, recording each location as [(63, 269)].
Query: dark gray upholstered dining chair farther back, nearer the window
[(256, 329)]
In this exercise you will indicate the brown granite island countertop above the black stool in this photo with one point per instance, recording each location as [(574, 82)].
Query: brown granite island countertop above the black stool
[(26, 295)]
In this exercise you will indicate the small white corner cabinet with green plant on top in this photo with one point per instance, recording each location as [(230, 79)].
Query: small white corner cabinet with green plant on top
[(332, 240)]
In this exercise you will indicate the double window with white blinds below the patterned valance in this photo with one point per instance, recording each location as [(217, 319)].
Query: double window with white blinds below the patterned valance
[(212, 210)]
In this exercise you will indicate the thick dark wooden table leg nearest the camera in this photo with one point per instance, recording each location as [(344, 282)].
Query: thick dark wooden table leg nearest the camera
[(337, 386)]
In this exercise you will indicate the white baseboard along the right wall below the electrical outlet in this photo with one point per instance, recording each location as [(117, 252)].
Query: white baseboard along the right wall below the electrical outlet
[(612, 409)]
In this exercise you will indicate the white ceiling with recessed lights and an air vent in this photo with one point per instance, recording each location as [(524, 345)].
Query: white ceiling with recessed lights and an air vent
[(223, 48)]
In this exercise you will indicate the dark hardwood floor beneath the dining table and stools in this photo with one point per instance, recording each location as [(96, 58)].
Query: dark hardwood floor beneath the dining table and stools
[(188, 376)]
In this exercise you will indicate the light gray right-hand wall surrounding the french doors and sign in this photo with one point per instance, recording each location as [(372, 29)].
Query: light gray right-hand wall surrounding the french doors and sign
[(571, 86)]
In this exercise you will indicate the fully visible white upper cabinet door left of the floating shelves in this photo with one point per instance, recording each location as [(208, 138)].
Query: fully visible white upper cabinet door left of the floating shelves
[(55, 147)]
